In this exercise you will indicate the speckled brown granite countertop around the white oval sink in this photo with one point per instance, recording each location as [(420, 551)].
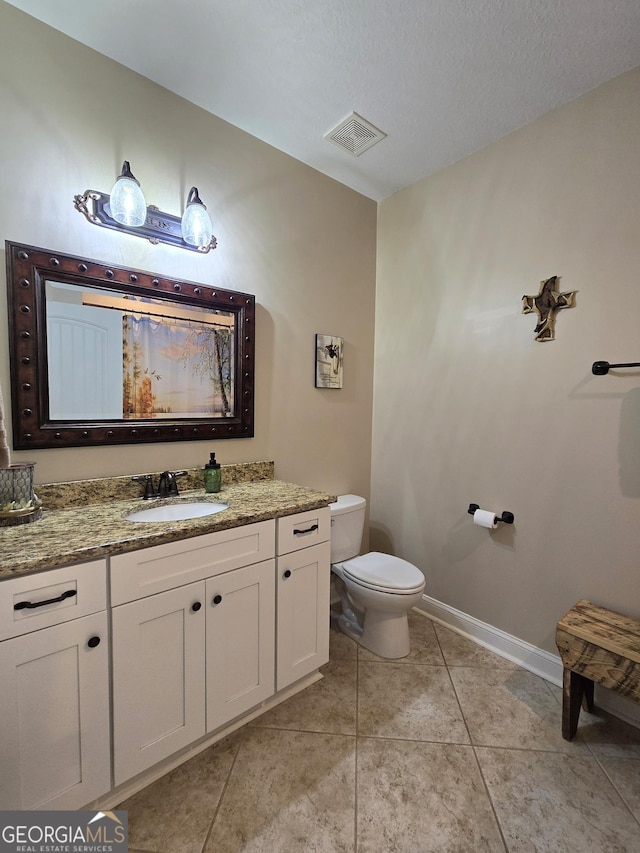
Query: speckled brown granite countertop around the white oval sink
[(72, 535)]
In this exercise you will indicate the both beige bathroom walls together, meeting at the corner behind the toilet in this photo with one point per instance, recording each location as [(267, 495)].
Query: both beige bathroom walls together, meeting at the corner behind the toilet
[(468, 407)]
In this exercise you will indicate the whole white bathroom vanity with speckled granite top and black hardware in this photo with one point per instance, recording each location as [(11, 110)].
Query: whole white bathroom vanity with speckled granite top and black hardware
[(117, 667)]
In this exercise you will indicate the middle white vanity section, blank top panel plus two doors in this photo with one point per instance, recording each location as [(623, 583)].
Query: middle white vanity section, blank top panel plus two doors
[(193, 640)]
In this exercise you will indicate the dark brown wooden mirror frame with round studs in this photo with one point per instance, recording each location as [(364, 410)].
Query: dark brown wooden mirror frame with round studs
[(28, 270)]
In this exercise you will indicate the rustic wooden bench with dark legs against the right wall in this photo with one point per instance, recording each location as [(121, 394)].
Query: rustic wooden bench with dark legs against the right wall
[(597, 646)]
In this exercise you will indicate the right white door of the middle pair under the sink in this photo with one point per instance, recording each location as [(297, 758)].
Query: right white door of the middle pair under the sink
[(240, 641)]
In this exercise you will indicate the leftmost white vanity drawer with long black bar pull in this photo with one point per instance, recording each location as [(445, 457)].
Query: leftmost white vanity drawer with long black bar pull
[(37, 601)]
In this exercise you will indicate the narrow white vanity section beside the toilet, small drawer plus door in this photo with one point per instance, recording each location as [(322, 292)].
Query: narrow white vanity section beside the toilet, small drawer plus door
[(303, 594)]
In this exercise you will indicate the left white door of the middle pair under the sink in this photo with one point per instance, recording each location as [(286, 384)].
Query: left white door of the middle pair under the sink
[(158, 677)]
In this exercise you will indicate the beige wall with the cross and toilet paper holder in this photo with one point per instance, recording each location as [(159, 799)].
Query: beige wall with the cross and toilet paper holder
[(469, 408)]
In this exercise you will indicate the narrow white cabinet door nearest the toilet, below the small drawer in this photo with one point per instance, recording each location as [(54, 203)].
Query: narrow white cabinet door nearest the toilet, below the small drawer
[(303, 612)]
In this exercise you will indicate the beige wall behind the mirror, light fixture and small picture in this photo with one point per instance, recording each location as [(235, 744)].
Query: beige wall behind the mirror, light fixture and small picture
[(301, 242)]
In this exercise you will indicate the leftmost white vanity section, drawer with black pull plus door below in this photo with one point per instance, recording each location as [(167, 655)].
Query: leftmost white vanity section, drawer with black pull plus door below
[(54, 700)]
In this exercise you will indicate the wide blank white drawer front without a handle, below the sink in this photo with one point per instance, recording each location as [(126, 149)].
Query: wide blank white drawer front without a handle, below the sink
[(162, 567)]
